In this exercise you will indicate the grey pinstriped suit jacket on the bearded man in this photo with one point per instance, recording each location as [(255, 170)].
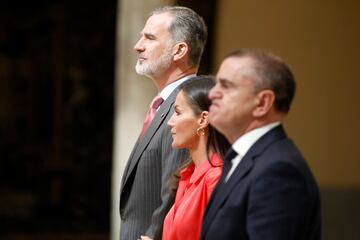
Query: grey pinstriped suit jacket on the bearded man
[(144, 195)]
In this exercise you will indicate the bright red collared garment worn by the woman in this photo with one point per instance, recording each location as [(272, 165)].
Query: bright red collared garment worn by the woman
[(183, 221)]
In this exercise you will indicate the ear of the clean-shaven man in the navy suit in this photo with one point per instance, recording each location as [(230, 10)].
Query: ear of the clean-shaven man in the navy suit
[(265, 101)]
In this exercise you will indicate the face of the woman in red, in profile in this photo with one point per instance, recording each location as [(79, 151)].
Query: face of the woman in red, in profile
[(184, 123)]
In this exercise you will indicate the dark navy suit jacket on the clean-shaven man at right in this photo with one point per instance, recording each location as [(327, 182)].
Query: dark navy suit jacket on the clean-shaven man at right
[(270, 195)]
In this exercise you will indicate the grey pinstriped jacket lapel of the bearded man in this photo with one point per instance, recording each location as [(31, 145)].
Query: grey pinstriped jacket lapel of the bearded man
[(154, 126)]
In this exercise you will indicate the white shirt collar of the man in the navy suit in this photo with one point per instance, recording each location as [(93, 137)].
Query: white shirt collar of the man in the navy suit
[(244, 143)]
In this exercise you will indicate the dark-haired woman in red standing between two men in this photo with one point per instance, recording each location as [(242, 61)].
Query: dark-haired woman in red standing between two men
[(190, 129)]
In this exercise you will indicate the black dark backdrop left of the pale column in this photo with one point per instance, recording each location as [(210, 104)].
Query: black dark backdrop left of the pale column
[(57, 77)]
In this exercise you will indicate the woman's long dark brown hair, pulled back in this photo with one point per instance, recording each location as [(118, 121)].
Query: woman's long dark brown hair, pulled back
[(196, 92)]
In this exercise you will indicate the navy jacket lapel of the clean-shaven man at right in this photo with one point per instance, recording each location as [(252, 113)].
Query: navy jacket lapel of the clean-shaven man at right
[(224, 189)]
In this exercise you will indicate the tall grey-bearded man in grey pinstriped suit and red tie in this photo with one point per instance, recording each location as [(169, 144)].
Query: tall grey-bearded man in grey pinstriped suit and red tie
[(169, 52)]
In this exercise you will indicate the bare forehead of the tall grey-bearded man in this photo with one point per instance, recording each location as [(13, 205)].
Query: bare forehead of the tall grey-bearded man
[(158, 23)]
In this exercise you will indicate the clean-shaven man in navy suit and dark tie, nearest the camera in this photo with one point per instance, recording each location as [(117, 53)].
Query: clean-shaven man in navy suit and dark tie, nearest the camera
[(266, 190)]
